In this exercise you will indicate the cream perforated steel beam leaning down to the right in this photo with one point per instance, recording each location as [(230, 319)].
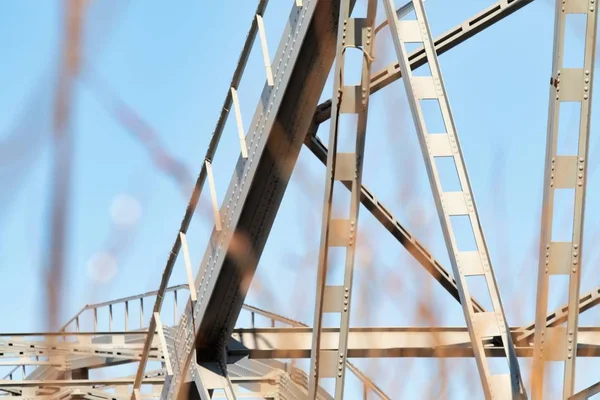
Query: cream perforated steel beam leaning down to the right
[(482, 325)]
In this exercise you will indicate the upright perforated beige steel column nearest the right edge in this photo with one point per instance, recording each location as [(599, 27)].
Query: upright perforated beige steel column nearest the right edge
[(564, 172)]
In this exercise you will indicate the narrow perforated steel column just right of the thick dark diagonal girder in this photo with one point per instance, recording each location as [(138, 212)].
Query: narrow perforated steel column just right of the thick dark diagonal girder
[(347, 168)]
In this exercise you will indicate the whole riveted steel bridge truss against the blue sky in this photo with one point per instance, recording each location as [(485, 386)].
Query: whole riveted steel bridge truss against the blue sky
[(201, 353)]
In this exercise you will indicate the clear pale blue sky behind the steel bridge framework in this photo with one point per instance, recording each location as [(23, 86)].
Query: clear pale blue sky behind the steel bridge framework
[(172, 64)]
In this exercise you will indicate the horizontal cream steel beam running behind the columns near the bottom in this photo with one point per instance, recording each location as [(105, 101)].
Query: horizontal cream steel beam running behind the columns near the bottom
[(417, 342)]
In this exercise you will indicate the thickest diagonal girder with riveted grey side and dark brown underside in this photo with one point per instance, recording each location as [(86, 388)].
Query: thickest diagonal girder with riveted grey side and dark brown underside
[(277, 131)]
